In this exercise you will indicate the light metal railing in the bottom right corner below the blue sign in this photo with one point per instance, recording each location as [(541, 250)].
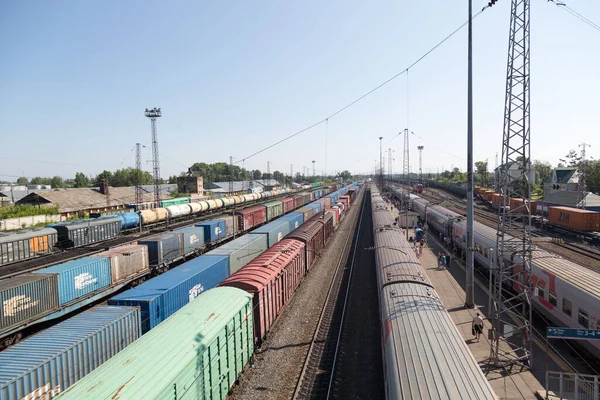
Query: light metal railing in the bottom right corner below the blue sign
[(562, 385)]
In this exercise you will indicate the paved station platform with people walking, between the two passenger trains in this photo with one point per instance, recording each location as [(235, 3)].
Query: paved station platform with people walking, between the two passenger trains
[(515, 383)]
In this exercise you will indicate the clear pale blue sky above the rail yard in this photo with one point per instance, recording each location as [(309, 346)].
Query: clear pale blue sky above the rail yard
[(234, 77)]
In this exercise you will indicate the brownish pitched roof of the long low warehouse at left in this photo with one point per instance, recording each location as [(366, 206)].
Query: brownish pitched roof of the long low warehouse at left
[(71, 200)]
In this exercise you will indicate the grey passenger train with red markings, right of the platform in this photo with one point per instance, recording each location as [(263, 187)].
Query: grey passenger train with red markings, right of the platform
[(566, 293)]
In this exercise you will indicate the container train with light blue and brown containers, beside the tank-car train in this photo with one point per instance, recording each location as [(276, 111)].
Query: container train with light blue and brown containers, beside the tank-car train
[(40, 296)]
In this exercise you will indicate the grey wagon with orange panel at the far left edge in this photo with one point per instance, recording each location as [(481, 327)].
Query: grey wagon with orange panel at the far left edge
[(24, 245)]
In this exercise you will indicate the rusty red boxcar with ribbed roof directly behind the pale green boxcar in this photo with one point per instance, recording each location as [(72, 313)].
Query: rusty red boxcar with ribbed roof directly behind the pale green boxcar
[(272, 279)]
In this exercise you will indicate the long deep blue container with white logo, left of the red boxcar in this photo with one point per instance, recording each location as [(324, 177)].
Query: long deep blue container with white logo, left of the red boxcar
[(161, 297)]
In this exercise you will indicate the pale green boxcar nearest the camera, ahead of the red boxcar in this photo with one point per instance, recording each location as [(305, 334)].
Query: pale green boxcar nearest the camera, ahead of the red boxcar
[(197, 353)]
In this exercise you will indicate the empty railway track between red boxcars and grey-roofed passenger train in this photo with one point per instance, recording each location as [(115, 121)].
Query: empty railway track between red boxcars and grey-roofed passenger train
[(315, 380)]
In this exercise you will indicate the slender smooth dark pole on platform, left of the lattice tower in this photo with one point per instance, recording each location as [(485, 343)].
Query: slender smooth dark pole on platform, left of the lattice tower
[(470, 286)]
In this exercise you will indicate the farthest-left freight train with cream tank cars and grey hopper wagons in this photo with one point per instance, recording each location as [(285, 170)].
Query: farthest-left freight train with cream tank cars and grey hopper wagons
[(28, 244)]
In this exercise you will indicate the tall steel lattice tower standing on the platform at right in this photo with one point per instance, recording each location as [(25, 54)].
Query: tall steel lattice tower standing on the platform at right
[(514, 224)]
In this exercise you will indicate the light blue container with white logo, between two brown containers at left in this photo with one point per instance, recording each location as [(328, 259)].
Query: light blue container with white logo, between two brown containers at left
[(80, 277)]
